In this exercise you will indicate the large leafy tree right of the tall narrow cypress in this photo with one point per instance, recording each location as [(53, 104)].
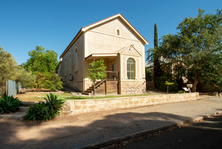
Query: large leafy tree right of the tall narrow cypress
[(198, 47)]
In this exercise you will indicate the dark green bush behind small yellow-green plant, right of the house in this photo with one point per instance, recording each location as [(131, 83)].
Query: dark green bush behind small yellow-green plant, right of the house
[(163, 87)]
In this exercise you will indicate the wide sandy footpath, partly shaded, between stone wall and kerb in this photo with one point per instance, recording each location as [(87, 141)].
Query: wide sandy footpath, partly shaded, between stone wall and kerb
[(86, 129)]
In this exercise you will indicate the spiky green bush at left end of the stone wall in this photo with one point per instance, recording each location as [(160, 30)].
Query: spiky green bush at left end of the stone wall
[(46, 110)]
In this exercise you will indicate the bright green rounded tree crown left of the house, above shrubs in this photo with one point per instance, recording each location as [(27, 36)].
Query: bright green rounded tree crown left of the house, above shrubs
[(41, 60)]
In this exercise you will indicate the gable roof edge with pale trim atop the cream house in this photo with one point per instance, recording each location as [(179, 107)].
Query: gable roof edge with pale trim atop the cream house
[(87, 28)]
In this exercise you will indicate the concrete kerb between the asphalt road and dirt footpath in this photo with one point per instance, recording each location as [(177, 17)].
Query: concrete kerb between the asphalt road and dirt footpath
[(144, 133)]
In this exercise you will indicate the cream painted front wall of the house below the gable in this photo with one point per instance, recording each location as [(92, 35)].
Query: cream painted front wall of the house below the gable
[(103, 39)]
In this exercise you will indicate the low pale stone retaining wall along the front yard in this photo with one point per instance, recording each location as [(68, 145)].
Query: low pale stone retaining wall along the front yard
[(85, 106)]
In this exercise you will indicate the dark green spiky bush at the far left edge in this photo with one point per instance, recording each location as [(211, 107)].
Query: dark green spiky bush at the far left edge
[(9, 104)]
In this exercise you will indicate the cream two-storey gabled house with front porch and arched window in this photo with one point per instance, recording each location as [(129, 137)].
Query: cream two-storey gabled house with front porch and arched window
[(121, 46)]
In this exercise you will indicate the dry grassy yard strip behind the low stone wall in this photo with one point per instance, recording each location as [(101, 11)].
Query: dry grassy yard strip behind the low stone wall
[(35, 96)]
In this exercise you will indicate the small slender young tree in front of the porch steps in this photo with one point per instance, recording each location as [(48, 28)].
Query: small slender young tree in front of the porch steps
[(97, 71)]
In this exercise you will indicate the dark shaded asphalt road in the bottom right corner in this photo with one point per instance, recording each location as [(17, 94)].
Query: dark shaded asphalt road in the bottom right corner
[(204, 135)]
